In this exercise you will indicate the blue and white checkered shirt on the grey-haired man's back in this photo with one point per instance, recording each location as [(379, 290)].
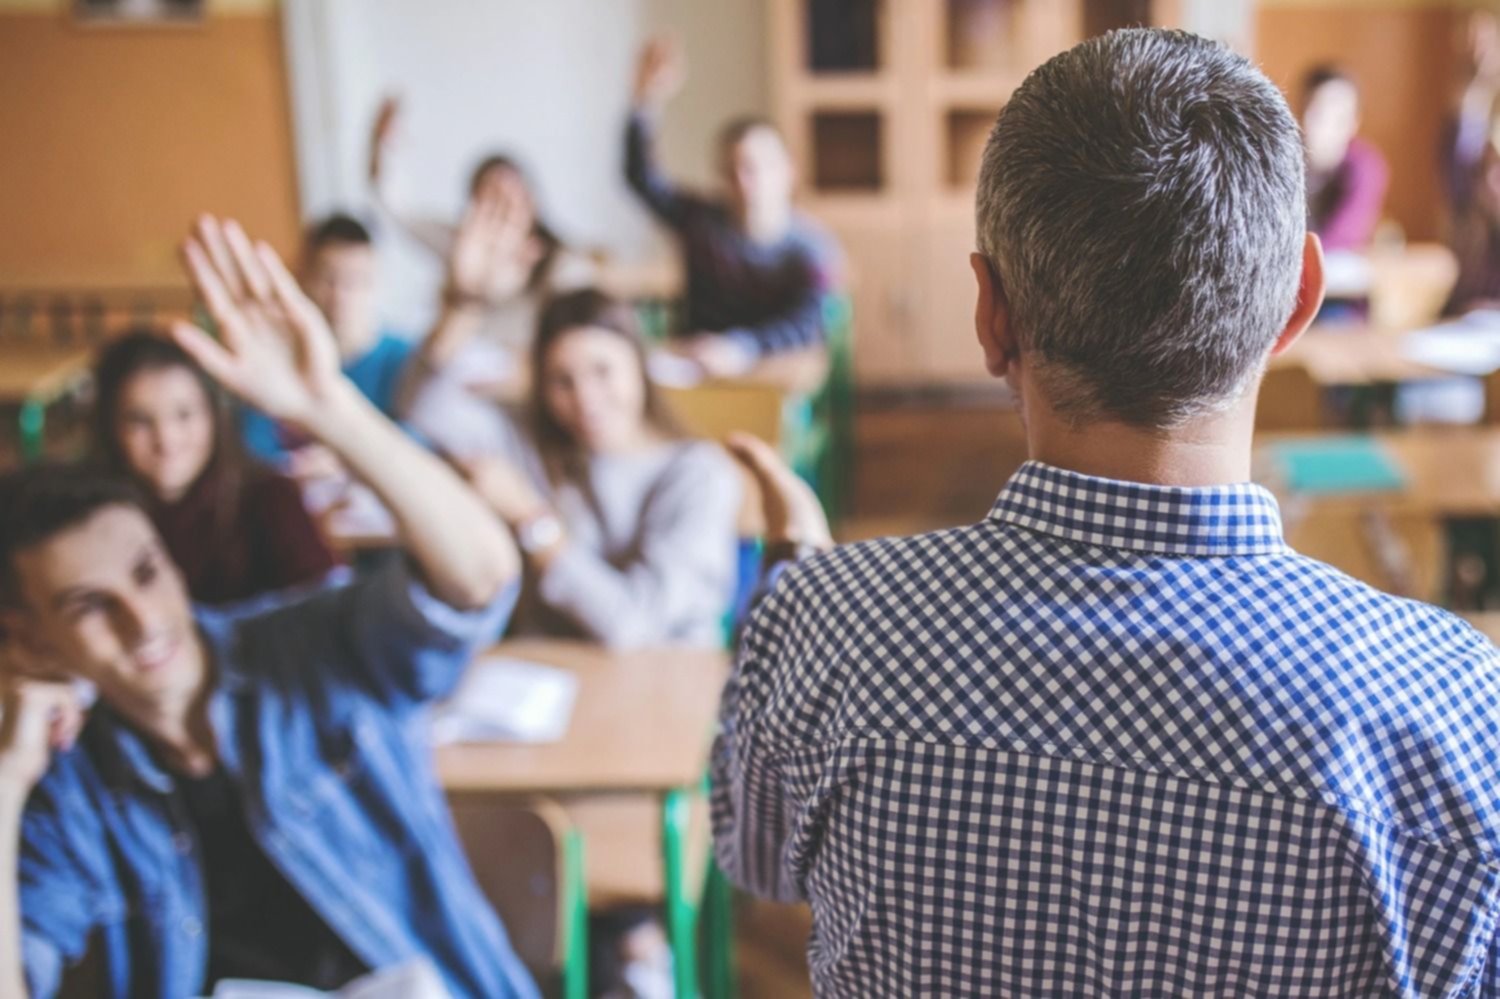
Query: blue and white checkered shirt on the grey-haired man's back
[(1115, 740)]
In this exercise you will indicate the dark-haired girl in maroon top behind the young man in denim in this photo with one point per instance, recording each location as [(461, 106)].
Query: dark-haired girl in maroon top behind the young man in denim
[(235, 529)]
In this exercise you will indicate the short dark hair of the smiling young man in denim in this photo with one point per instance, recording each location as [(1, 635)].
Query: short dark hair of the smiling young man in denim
[(41, 502)]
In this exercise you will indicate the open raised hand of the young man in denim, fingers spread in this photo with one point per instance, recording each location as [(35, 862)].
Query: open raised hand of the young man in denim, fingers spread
[(275, 349)]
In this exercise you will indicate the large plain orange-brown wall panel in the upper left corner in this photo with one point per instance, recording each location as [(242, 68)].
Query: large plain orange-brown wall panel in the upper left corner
[(113, 137)]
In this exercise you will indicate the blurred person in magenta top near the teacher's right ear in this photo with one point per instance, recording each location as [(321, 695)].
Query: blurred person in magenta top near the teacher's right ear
[(1348, 178)]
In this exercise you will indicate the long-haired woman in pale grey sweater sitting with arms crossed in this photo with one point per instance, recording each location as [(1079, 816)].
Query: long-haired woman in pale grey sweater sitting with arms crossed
[(628, 527)]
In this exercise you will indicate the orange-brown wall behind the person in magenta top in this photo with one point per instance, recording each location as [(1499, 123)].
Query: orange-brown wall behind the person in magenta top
[(1405, 58)]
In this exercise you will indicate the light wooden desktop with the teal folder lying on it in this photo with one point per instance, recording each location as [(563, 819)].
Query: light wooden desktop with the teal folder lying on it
[(1450, 472)]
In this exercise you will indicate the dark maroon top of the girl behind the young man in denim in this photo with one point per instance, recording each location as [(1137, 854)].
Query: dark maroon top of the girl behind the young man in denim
[(271, 545)]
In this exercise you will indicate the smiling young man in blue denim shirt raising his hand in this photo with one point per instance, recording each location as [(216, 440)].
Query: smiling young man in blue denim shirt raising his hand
[(253, 796)]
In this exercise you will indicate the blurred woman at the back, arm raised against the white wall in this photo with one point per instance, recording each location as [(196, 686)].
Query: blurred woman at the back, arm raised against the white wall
[(494, 287)]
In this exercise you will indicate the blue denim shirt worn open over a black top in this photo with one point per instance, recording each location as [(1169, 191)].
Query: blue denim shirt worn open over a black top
[(319, 718)]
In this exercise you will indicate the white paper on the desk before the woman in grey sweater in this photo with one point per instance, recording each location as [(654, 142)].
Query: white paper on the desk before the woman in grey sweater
[(508, 701)]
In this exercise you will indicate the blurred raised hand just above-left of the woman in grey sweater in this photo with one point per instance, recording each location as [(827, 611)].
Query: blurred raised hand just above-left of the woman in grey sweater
[(494, 251)]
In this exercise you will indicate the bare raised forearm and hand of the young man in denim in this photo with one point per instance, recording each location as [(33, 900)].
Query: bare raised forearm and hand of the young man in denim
[(278, 355)]
